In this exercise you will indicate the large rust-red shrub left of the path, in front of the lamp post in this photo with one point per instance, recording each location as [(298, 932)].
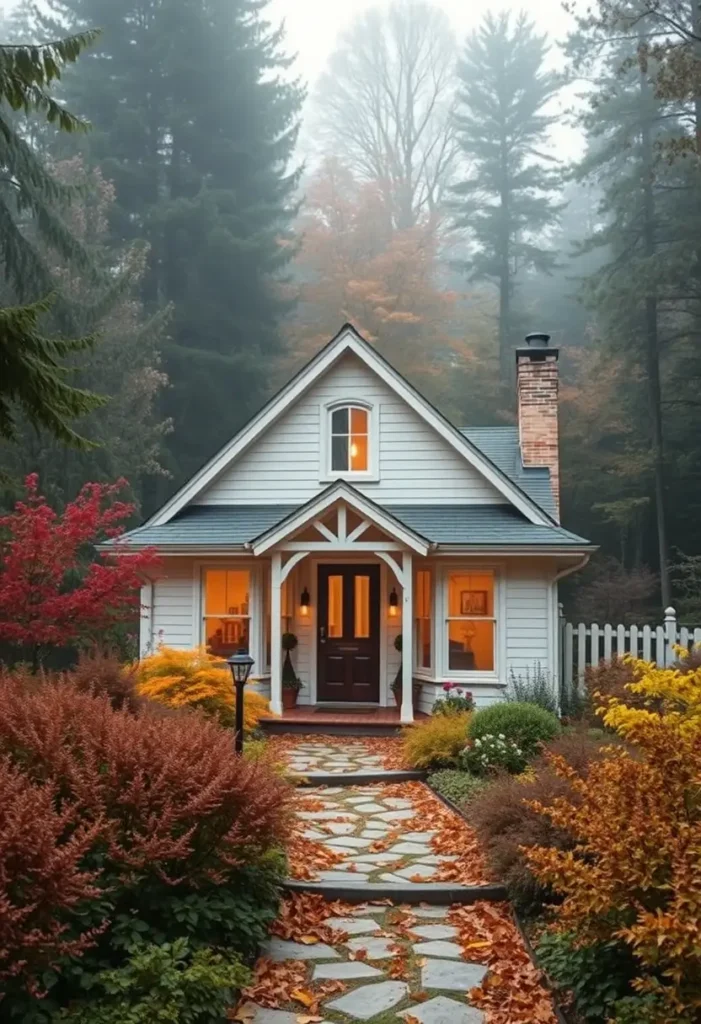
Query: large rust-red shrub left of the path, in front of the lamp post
[(171, 791)]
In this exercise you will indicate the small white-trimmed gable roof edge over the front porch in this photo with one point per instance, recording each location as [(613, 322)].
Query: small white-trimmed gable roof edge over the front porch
[(340, 492)]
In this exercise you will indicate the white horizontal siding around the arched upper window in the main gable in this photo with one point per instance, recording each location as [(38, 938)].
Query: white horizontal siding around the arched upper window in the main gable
[(417, 466)]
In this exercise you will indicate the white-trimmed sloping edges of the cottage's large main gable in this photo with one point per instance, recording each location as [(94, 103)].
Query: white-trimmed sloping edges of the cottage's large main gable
[(348, 340)]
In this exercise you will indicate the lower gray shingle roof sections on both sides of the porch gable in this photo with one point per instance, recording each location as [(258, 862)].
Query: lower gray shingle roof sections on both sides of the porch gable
[(220, 526)]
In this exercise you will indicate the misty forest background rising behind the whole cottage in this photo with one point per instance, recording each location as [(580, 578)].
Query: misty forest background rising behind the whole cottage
[(217, 226)]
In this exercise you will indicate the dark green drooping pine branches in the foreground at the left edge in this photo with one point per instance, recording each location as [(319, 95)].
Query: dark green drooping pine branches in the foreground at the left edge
[(34, 378)]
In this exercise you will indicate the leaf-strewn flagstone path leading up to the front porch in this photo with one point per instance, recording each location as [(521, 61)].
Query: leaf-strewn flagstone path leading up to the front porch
[(378, 962)]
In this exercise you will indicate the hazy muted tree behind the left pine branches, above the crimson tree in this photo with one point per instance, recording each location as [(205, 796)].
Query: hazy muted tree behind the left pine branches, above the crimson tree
[(123, 366)]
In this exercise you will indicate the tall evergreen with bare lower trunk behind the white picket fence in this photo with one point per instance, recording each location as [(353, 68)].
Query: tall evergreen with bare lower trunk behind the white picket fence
[(629, 127)]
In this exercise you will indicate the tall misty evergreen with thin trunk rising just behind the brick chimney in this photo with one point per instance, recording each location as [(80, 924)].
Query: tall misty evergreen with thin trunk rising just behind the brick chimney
[(507, 202)]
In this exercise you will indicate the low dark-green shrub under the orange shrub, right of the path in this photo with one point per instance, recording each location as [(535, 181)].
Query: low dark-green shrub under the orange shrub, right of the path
[(597, 976)]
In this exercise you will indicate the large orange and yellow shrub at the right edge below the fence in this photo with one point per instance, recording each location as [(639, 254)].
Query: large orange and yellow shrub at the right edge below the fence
[(635, 872)]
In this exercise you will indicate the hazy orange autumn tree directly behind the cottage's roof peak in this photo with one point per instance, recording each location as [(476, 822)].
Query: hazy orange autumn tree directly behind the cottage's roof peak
[(355, 266)]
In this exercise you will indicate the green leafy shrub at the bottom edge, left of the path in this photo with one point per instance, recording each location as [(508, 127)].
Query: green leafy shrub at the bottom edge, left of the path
[(163, 985)]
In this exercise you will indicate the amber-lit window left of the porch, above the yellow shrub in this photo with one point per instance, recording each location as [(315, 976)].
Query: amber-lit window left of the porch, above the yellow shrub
[(228, 623)]
